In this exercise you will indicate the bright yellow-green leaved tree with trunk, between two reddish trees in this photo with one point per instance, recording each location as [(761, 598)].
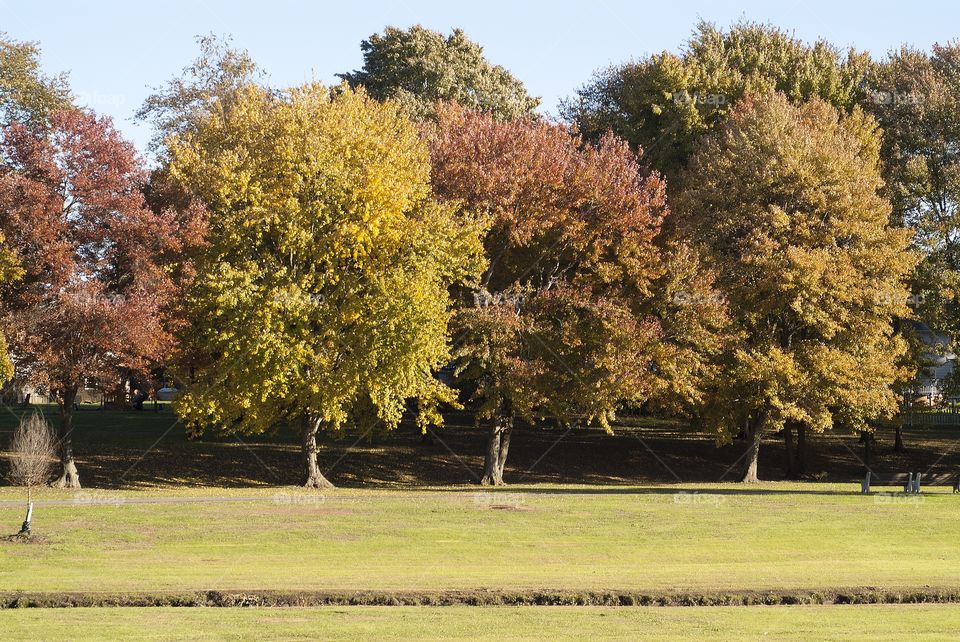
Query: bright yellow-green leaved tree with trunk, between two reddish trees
[(323, 284)]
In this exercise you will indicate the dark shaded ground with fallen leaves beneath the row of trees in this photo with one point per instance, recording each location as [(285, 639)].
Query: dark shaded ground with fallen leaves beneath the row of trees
[(129, 450)]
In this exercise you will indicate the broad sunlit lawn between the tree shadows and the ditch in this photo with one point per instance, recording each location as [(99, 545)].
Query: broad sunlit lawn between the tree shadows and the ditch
[(653, 538)]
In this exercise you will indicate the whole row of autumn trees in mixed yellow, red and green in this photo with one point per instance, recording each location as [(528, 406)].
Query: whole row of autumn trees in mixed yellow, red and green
[(743, 234)]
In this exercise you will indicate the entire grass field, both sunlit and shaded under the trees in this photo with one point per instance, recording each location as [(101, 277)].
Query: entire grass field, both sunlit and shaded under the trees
[(586, 513)]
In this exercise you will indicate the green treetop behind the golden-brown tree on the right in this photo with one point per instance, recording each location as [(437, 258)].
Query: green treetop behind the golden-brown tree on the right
[(666, 102)]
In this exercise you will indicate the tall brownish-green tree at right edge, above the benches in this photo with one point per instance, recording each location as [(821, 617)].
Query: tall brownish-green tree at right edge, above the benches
[(915, 97)]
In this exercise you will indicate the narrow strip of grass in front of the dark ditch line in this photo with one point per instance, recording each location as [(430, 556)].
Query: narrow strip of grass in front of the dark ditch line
[(910, 622)]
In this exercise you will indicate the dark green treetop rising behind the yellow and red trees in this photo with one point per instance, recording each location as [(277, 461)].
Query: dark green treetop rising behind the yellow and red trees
[(418, 66)]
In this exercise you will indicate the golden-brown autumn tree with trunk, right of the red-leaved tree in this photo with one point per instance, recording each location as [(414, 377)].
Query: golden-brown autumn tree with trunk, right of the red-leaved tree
[(785, 202)]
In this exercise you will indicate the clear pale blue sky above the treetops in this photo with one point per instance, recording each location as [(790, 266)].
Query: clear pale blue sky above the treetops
[(115, 51)]
